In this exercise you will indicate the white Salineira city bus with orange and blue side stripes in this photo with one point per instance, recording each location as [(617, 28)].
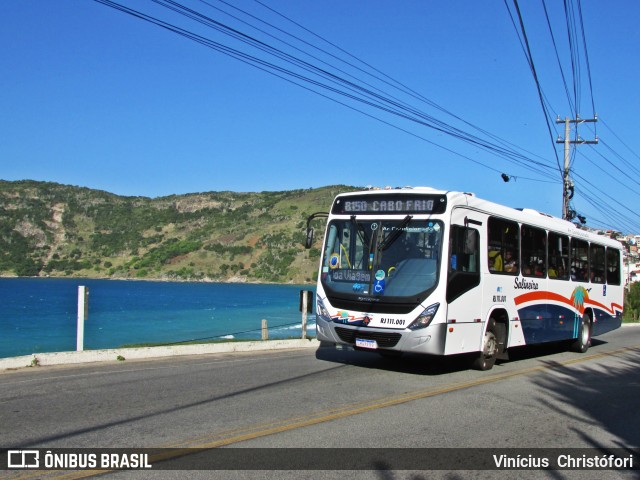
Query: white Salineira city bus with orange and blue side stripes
[(444, 273)]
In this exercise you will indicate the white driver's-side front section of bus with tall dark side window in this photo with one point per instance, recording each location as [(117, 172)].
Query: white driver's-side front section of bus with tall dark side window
[(464, 331)]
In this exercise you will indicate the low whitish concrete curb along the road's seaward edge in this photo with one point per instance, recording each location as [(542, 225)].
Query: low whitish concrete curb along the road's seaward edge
[(89, 356)]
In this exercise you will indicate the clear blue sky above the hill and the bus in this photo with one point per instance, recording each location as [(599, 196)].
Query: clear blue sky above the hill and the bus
[(93, 96)]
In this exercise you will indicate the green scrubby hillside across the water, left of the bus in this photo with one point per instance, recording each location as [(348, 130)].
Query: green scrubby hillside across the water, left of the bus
[(48, 229)]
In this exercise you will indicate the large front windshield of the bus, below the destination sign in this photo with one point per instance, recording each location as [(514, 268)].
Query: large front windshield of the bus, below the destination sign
[(388, 260)]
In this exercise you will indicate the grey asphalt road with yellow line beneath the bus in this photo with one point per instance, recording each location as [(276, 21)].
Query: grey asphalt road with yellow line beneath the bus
[(544, 397)]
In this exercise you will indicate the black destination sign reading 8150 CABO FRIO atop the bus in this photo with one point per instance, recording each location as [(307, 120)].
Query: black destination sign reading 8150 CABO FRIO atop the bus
[(389, 204)]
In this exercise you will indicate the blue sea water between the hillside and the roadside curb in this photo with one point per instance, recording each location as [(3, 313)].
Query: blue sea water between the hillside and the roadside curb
[(40, 314)]
